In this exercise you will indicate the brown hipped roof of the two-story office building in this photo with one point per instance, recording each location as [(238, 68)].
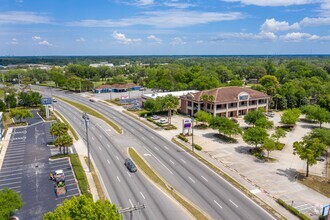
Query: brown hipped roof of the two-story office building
[(229, 94)]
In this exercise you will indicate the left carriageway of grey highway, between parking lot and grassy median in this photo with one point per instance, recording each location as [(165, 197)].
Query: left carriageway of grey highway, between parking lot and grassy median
[(124, 188)]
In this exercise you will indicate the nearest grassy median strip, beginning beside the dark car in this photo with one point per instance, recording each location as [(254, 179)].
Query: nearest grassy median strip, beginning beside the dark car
[(145, 168)]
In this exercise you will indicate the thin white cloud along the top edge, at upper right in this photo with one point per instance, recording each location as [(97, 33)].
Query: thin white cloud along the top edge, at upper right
[(276, 2)]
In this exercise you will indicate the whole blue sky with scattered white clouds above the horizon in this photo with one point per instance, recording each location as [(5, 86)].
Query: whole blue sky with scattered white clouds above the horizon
[(164, 27)]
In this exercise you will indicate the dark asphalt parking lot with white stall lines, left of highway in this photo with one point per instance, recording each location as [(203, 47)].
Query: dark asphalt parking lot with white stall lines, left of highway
[(26, 169)]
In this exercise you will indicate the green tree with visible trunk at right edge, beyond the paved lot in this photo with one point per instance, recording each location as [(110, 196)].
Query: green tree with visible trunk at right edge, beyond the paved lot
[(316, 113)]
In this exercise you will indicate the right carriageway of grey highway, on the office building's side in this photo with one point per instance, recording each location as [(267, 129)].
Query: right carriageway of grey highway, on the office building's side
[(192, 179)]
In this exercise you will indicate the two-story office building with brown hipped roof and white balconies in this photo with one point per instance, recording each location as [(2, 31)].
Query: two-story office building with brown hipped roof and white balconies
[(230, 101)]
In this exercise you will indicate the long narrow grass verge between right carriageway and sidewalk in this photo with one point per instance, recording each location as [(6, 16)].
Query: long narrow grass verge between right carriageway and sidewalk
[(231, 180)]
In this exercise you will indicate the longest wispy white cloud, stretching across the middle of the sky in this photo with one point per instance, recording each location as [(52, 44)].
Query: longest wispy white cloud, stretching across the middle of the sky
[(163, 19)]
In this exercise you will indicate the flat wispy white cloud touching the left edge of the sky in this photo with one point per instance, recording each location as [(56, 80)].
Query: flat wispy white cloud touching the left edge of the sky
[(21, 17)]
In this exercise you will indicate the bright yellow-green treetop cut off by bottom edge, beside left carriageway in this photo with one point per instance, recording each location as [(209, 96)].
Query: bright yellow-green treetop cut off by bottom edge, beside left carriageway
[(83, 207)]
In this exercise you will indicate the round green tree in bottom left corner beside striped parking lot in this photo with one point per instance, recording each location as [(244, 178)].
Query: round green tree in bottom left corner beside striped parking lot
[(9, 202)]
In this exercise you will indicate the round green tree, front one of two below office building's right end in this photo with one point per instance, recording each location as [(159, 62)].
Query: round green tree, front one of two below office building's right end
[(255, 136)]
